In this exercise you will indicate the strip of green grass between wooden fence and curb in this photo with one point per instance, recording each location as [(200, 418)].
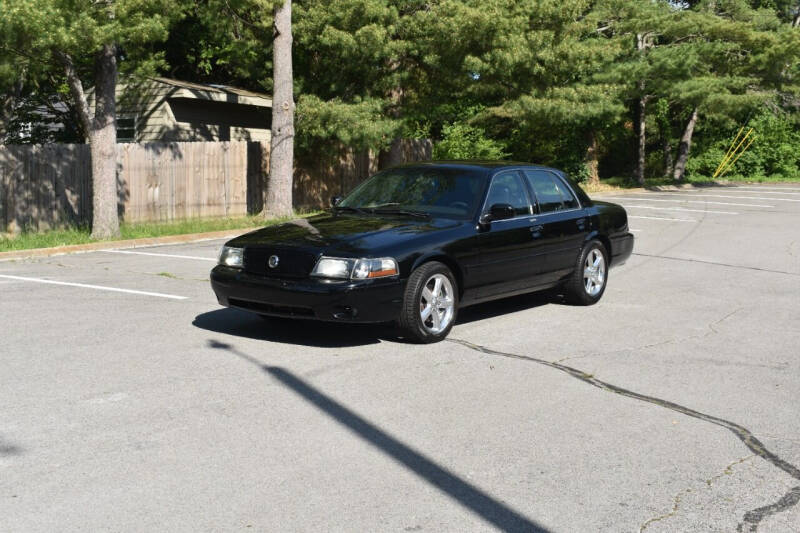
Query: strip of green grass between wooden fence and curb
[(69, 236)]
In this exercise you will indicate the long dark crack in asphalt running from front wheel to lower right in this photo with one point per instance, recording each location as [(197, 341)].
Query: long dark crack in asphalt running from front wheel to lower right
[(752, 518)]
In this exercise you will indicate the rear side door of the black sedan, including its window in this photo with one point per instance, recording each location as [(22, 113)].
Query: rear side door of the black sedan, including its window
[(561, 222)]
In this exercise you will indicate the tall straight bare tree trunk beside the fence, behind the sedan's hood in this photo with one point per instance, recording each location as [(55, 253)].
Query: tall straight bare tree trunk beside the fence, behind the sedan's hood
[(281, 159)]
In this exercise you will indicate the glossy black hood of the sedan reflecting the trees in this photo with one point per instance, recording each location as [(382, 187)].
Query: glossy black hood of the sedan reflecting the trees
[(343, 232)]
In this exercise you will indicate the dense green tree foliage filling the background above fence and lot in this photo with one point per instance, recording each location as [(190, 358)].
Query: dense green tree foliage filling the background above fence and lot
[(554, 82)]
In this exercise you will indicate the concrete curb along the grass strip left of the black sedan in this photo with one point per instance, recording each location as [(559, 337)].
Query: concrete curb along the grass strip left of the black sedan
[(121, 245)]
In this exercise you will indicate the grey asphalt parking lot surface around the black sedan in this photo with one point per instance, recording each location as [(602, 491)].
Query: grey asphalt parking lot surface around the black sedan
[(129, 400)]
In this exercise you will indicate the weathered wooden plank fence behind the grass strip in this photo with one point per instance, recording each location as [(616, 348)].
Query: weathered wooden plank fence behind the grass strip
[(49, 186)]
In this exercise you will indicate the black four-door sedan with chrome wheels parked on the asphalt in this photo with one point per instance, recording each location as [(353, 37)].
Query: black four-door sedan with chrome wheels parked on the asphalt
[(415, 243)]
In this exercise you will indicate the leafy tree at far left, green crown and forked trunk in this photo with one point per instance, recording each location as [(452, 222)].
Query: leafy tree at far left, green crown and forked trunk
[(83, 43)]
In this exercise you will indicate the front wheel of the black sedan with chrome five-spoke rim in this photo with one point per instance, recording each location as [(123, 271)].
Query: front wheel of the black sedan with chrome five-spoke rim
[(430, 303)]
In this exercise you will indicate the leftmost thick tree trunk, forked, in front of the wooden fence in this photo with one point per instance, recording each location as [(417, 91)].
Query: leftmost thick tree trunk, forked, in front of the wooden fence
[(103, 145)]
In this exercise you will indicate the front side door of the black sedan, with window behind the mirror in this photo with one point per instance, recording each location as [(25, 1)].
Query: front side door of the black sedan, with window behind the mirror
[(507, 247)]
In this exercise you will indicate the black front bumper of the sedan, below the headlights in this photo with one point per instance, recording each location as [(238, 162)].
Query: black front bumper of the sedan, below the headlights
[(367, 301)]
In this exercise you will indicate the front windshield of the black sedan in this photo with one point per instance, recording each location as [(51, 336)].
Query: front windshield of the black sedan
[(445, 192)]
